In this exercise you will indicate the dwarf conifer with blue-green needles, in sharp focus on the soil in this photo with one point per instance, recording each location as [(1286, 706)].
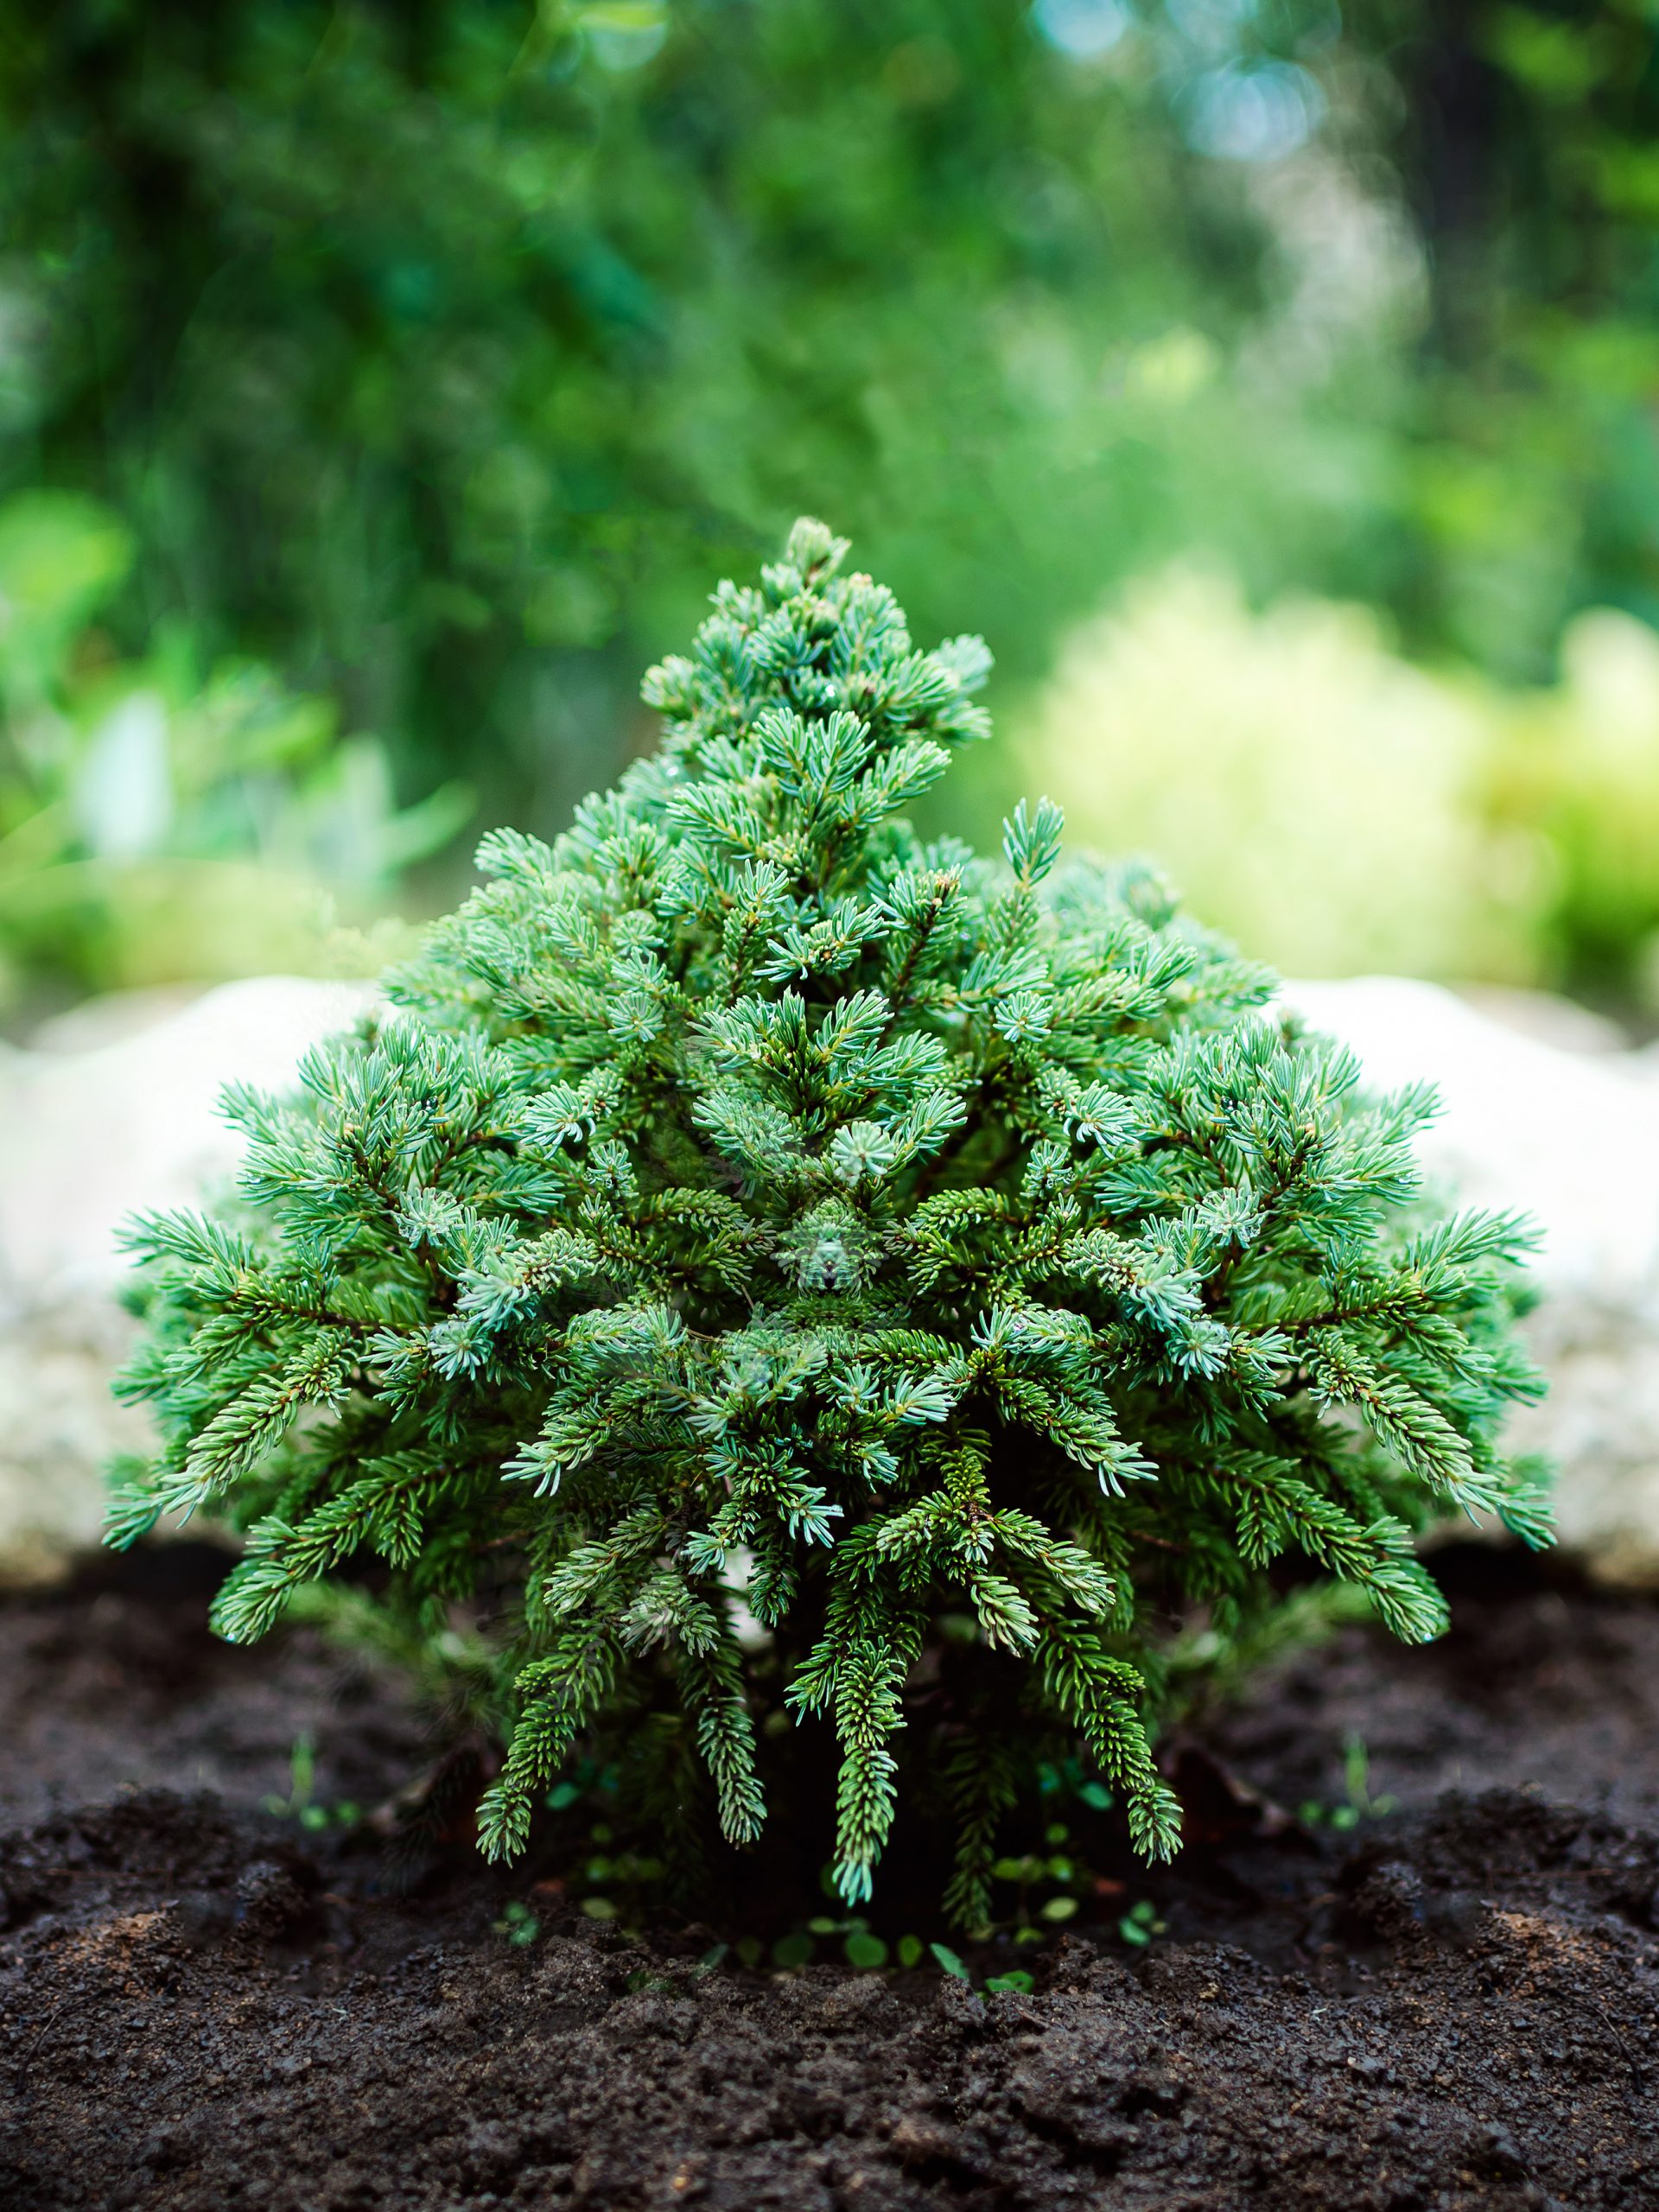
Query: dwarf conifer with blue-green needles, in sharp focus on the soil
[(780, 1275)]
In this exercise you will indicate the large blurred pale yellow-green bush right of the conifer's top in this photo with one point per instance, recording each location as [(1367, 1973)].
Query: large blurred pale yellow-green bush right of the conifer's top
[(1313, 793)]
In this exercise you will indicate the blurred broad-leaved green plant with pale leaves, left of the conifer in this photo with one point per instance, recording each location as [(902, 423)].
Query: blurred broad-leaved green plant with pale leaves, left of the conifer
[(160, 822)]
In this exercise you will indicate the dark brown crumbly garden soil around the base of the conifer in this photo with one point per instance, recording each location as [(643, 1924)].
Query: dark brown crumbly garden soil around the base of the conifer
[(202, 2003)]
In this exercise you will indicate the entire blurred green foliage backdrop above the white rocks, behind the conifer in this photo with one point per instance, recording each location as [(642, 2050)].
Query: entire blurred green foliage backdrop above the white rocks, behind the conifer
[(384, 386)]
